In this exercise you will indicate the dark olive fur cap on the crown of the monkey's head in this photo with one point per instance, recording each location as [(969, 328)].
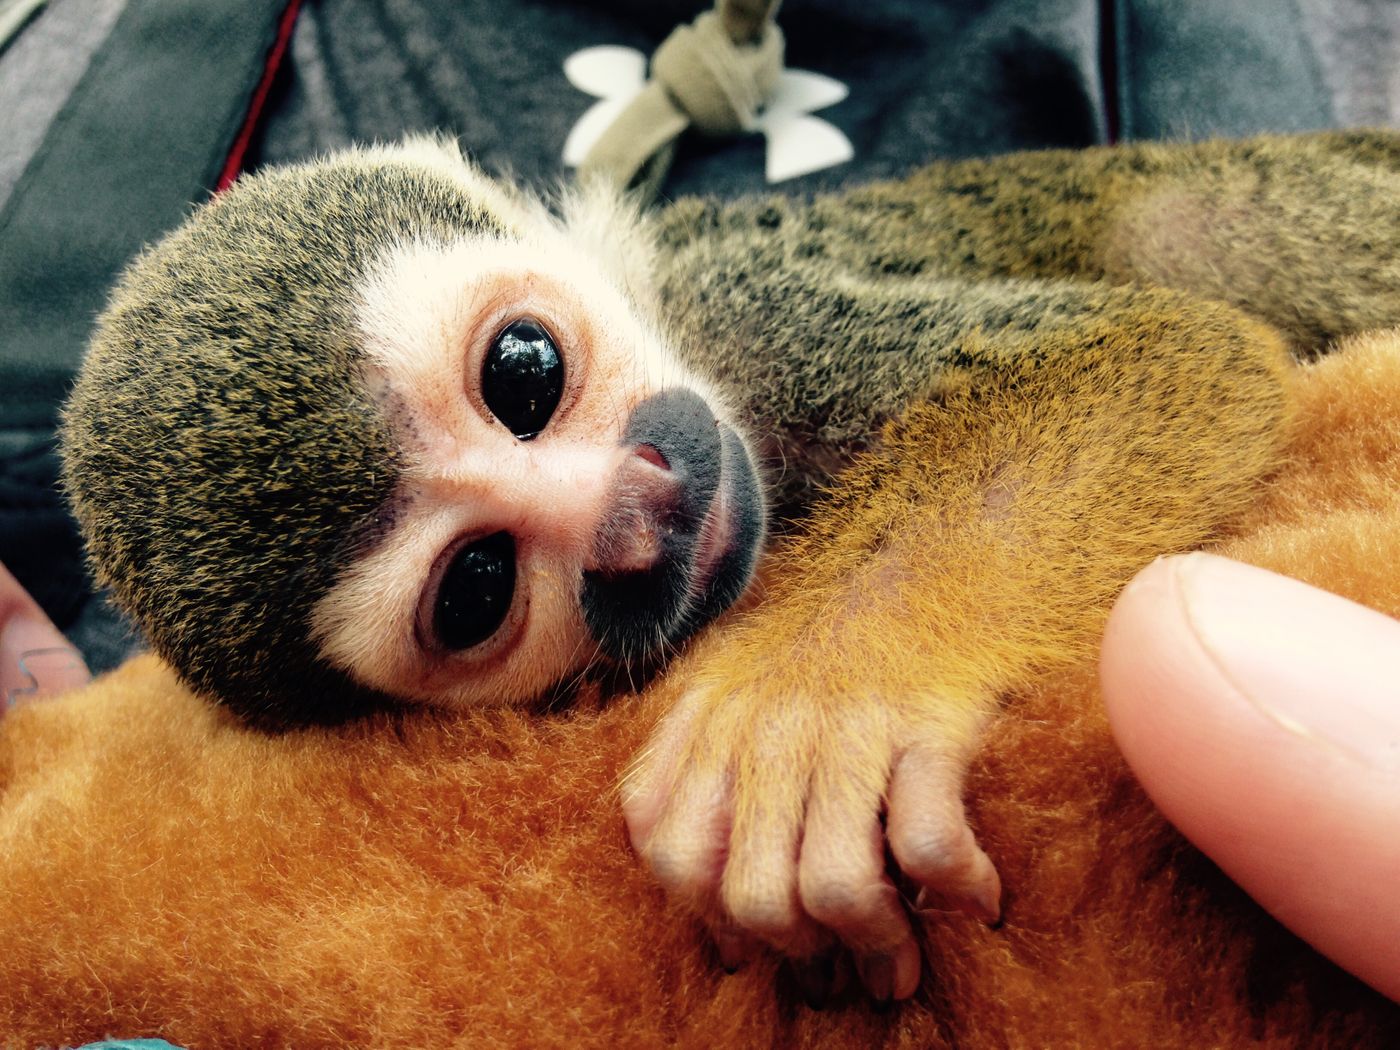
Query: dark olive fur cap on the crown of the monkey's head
[(220, 449)]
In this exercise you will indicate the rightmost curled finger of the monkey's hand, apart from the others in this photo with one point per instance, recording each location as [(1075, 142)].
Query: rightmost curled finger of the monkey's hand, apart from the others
[(929, 834)]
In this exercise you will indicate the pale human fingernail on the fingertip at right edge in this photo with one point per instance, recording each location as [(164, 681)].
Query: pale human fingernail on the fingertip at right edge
[(1317, 664)]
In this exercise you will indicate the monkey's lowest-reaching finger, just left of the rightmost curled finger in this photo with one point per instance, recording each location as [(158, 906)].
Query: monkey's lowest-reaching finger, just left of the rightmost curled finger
[(843, 885)]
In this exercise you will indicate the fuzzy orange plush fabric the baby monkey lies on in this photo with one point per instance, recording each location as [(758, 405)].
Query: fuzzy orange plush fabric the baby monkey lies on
[(465, 881)]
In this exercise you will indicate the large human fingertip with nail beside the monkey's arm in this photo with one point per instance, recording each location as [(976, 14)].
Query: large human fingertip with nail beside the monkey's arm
[(1263, 719)]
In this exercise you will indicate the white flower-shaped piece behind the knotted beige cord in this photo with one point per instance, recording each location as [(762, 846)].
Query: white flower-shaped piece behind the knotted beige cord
[(797, 143)]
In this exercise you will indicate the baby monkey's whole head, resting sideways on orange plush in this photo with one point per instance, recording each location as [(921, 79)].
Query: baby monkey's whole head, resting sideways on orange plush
[(377, 426)]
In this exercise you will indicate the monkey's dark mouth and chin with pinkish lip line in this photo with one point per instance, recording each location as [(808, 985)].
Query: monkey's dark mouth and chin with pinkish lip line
[(706, 565)]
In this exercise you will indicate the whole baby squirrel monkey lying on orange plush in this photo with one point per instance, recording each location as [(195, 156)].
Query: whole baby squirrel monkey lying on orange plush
[(380, 429)]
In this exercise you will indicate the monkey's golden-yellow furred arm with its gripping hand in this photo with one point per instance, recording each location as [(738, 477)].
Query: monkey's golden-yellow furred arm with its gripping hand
[(979, 545)]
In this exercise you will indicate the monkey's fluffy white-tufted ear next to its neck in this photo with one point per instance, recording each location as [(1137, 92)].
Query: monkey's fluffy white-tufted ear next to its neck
[(608, 226)]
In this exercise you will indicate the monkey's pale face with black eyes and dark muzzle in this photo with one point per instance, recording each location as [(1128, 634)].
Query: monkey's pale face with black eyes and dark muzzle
[(568, 492)]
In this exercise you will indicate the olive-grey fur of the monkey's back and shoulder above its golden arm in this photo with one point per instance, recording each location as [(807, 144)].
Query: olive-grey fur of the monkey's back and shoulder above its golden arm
[(842, 311)]
